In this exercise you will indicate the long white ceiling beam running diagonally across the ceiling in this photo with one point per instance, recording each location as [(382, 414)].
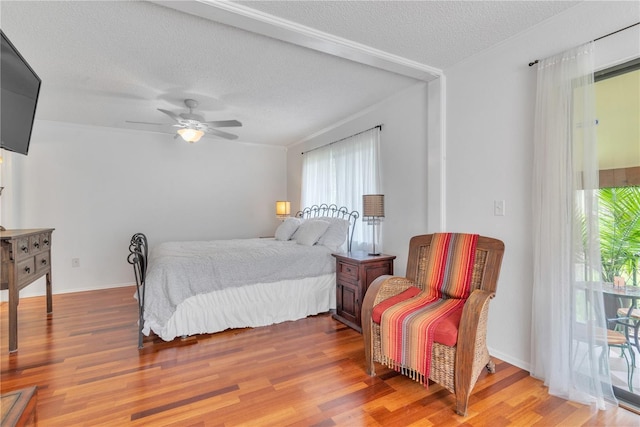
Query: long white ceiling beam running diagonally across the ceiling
[(258, 22)]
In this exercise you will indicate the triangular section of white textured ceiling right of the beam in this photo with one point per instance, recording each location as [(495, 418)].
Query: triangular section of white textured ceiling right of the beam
[(437, 33)]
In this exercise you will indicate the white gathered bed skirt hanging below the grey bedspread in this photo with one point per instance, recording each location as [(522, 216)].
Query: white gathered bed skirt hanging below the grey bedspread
[(255, 305)]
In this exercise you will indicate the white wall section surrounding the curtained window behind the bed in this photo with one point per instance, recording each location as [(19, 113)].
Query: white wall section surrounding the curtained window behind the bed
[(403, 146)]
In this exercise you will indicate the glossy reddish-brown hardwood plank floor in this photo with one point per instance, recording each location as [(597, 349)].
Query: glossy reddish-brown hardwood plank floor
[(88, 370)]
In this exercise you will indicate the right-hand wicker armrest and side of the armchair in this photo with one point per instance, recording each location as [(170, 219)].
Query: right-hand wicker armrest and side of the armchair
[(472, 330)]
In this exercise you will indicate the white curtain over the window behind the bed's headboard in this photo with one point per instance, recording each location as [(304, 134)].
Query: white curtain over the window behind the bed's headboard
[(341, 173)]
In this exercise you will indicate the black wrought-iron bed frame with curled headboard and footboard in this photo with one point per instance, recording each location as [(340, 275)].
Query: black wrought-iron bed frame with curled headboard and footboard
[(139, 250)]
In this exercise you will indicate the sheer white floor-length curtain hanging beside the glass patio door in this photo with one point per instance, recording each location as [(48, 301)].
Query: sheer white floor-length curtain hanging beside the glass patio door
[(568, 311)]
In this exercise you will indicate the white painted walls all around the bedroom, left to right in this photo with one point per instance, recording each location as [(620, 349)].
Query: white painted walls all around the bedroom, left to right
[(82, 182)]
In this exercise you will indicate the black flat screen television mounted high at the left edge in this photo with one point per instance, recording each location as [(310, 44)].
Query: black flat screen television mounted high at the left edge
[(20, 87)]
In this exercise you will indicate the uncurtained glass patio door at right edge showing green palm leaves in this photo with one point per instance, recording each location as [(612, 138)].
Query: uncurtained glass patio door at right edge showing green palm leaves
[(618, 135)]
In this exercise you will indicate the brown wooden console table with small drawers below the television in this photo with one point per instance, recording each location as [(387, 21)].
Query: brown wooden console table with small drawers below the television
[(26, 256)]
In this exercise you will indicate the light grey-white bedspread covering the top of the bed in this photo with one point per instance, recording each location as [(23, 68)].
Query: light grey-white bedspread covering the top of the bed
[(179, 270)]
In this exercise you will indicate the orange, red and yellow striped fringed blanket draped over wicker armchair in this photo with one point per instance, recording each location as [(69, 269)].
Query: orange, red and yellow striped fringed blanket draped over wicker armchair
[(407, 328)]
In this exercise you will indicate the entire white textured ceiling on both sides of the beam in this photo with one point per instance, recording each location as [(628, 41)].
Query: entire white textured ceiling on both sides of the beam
[(106, 63)]
